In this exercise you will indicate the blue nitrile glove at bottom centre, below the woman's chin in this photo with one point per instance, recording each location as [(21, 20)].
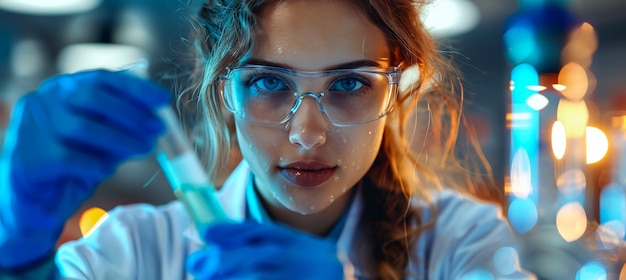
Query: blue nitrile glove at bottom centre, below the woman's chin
[(250, 250)]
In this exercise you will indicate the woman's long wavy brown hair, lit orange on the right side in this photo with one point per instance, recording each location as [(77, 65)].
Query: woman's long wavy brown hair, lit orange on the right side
[(223, 34)]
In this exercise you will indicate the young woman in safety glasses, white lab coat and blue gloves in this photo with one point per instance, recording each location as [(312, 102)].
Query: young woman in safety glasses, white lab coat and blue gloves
[(328, 186)]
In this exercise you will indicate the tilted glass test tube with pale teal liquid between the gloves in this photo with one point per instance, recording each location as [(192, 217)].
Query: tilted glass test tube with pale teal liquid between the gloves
[(181, 166)]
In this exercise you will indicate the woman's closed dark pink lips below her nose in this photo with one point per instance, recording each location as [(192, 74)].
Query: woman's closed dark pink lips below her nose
[(307, 173)]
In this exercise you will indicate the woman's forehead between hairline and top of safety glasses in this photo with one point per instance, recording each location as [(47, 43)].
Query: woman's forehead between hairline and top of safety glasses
[(313, 35)]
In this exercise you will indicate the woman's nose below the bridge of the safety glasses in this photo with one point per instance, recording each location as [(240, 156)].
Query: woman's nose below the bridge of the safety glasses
[(308, 125)]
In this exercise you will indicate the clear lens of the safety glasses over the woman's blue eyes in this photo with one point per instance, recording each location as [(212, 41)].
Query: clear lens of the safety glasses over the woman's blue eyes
[(270, 95)]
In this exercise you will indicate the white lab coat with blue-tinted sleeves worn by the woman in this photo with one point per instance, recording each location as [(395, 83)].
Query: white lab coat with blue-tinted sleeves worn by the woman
[(152, 242)]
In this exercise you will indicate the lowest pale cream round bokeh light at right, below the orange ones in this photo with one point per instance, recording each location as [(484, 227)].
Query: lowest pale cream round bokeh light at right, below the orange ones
[(571, 221)]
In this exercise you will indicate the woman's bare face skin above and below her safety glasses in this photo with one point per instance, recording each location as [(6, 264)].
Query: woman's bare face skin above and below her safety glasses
[(308, 163)]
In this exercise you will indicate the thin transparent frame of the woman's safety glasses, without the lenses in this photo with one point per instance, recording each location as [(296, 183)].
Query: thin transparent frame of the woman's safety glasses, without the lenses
[(393, 75)]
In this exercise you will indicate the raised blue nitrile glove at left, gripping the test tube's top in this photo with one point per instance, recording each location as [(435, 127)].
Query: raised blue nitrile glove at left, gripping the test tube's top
[(61, 142)]
